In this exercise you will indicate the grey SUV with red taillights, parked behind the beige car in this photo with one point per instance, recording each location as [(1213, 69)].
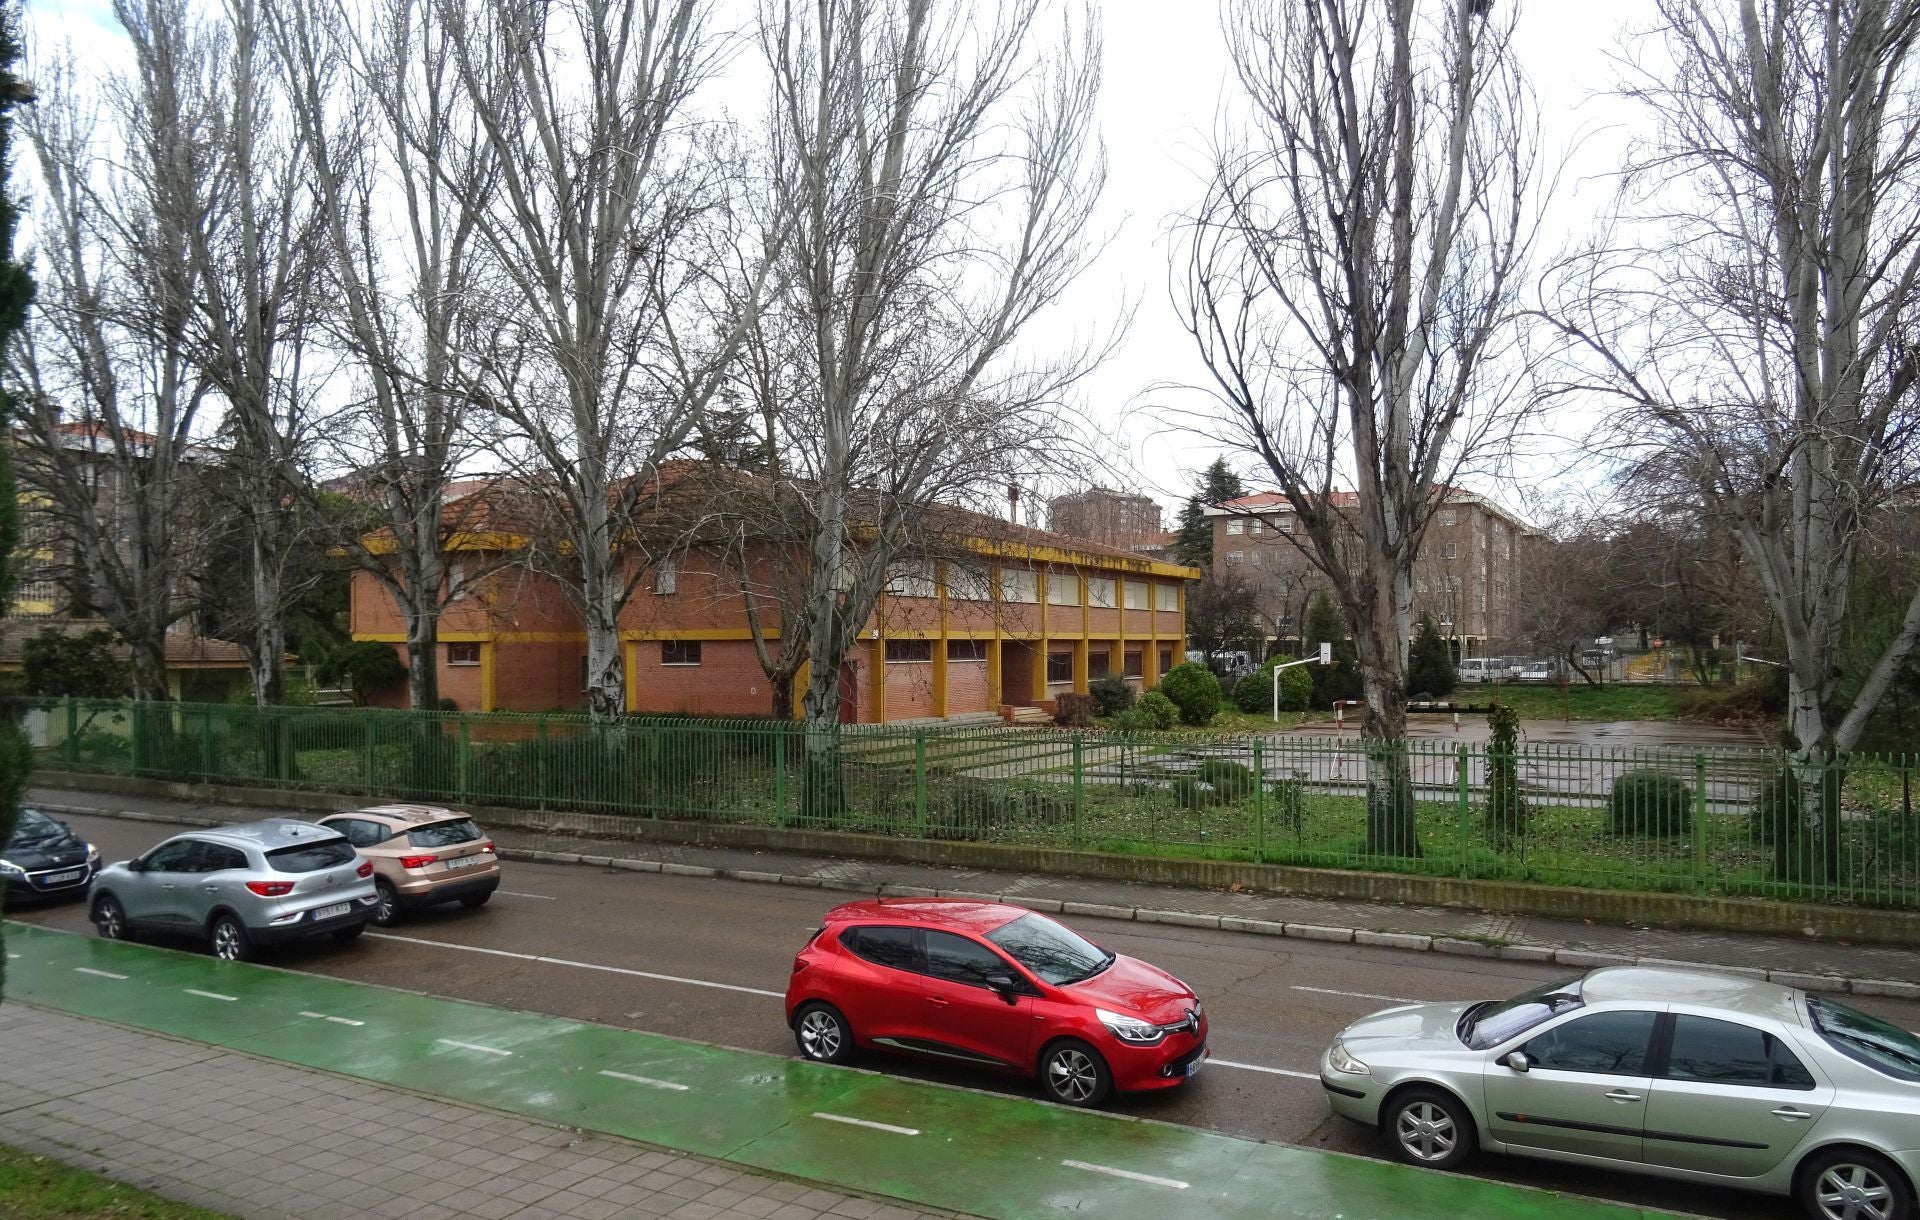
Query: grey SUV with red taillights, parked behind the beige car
[(241, 887)]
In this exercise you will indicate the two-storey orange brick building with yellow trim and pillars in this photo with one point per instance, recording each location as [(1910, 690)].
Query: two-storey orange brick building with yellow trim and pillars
[(1011, 620)]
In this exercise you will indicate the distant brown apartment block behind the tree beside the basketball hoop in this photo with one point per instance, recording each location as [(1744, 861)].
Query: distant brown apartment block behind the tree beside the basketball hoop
[(1464, 579)]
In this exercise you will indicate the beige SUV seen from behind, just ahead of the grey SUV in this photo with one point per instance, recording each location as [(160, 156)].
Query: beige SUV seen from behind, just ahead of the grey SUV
[(421, 856)]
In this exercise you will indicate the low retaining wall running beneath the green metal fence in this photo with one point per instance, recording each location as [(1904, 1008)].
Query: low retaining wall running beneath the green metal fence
[(1510, 898)]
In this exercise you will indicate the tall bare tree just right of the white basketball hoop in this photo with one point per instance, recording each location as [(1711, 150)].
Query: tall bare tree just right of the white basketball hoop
[(1347, 280)]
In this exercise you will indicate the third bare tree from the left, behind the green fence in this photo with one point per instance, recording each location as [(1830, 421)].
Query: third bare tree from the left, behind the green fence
[(398, 172)]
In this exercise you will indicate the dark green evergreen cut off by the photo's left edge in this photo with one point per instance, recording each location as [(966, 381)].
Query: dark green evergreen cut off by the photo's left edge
[(16, 293)]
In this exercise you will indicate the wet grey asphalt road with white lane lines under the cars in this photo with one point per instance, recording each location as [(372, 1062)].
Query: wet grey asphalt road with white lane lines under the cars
[(709, 960)]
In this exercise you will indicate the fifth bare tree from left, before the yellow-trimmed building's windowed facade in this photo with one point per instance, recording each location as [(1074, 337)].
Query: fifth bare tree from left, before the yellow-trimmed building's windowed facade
[(940, 176)]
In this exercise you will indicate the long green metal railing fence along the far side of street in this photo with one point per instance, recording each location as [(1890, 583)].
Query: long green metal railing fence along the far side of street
[(1723, 821)]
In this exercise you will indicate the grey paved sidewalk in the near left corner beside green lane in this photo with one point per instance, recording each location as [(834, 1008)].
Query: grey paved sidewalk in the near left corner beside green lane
[(268, 1140)]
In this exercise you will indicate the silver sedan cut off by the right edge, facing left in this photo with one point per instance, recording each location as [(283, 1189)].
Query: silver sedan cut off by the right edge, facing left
[(1691, 1075)]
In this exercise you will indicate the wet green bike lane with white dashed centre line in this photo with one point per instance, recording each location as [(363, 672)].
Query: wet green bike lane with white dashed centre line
[(926, 1144)]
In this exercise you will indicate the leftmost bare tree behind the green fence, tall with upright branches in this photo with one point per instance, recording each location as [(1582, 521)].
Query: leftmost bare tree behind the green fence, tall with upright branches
[(112, 395)]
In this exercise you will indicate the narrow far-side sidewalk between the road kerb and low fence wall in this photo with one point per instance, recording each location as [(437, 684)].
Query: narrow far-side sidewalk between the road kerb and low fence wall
[(1812, 964)]
